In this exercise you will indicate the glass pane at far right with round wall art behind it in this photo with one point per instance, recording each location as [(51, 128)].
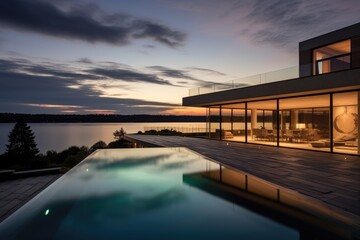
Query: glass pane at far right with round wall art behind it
[(346, 123)]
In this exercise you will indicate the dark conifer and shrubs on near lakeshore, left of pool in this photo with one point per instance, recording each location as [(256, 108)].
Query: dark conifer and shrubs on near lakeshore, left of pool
[(22, 152)]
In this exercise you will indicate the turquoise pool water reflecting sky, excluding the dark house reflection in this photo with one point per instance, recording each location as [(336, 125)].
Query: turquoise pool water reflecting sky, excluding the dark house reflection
[(151, 193)]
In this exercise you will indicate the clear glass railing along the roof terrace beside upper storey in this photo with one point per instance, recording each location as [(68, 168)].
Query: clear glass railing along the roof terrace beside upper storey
[(274, 76)]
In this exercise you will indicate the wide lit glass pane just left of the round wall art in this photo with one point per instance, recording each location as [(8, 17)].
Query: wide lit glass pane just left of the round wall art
[(304, 122)]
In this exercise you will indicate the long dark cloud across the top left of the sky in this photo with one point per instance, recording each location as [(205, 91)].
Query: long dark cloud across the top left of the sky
[(84, 22)]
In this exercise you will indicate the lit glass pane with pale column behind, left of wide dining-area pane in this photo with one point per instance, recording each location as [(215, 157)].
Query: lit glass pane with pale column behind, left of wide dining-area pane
[(263, 122)]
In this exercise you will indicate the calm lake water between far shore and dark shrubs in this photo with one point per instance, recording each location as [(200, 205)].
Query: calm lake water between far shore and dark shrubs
[(59, 136)]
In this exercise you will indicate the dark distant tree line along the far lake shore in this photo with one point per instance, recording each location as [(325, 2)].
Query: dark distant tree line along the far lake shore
[(95, 118)]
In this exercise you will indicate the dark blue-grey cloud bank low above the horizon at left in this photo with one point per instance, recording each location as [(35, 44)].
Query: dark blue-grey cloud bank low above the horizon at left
[(28, 92)]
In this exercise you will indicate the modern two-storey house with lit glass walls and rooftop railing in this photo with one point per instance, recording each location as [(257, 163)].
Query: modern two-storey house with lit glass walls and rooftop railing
[(316, 107)]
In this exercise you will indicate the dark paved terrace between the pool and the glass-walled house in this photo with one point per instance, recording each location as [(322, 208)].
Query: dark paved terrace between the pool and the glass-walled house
[(331, 178)]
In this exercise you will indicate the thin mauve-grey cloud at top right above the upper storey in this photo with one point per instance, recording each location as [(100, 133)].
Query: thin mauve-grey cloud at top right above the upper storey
[(277, 22)]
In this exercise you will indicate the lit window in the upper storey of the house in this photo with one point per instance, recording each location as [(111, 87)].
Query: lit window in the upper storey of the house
[(331, 58)]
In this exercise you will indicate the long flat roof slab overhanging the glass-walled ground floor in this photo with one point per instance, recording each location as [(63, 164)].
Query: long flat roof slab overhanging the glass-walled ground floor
[(331, 82)]
